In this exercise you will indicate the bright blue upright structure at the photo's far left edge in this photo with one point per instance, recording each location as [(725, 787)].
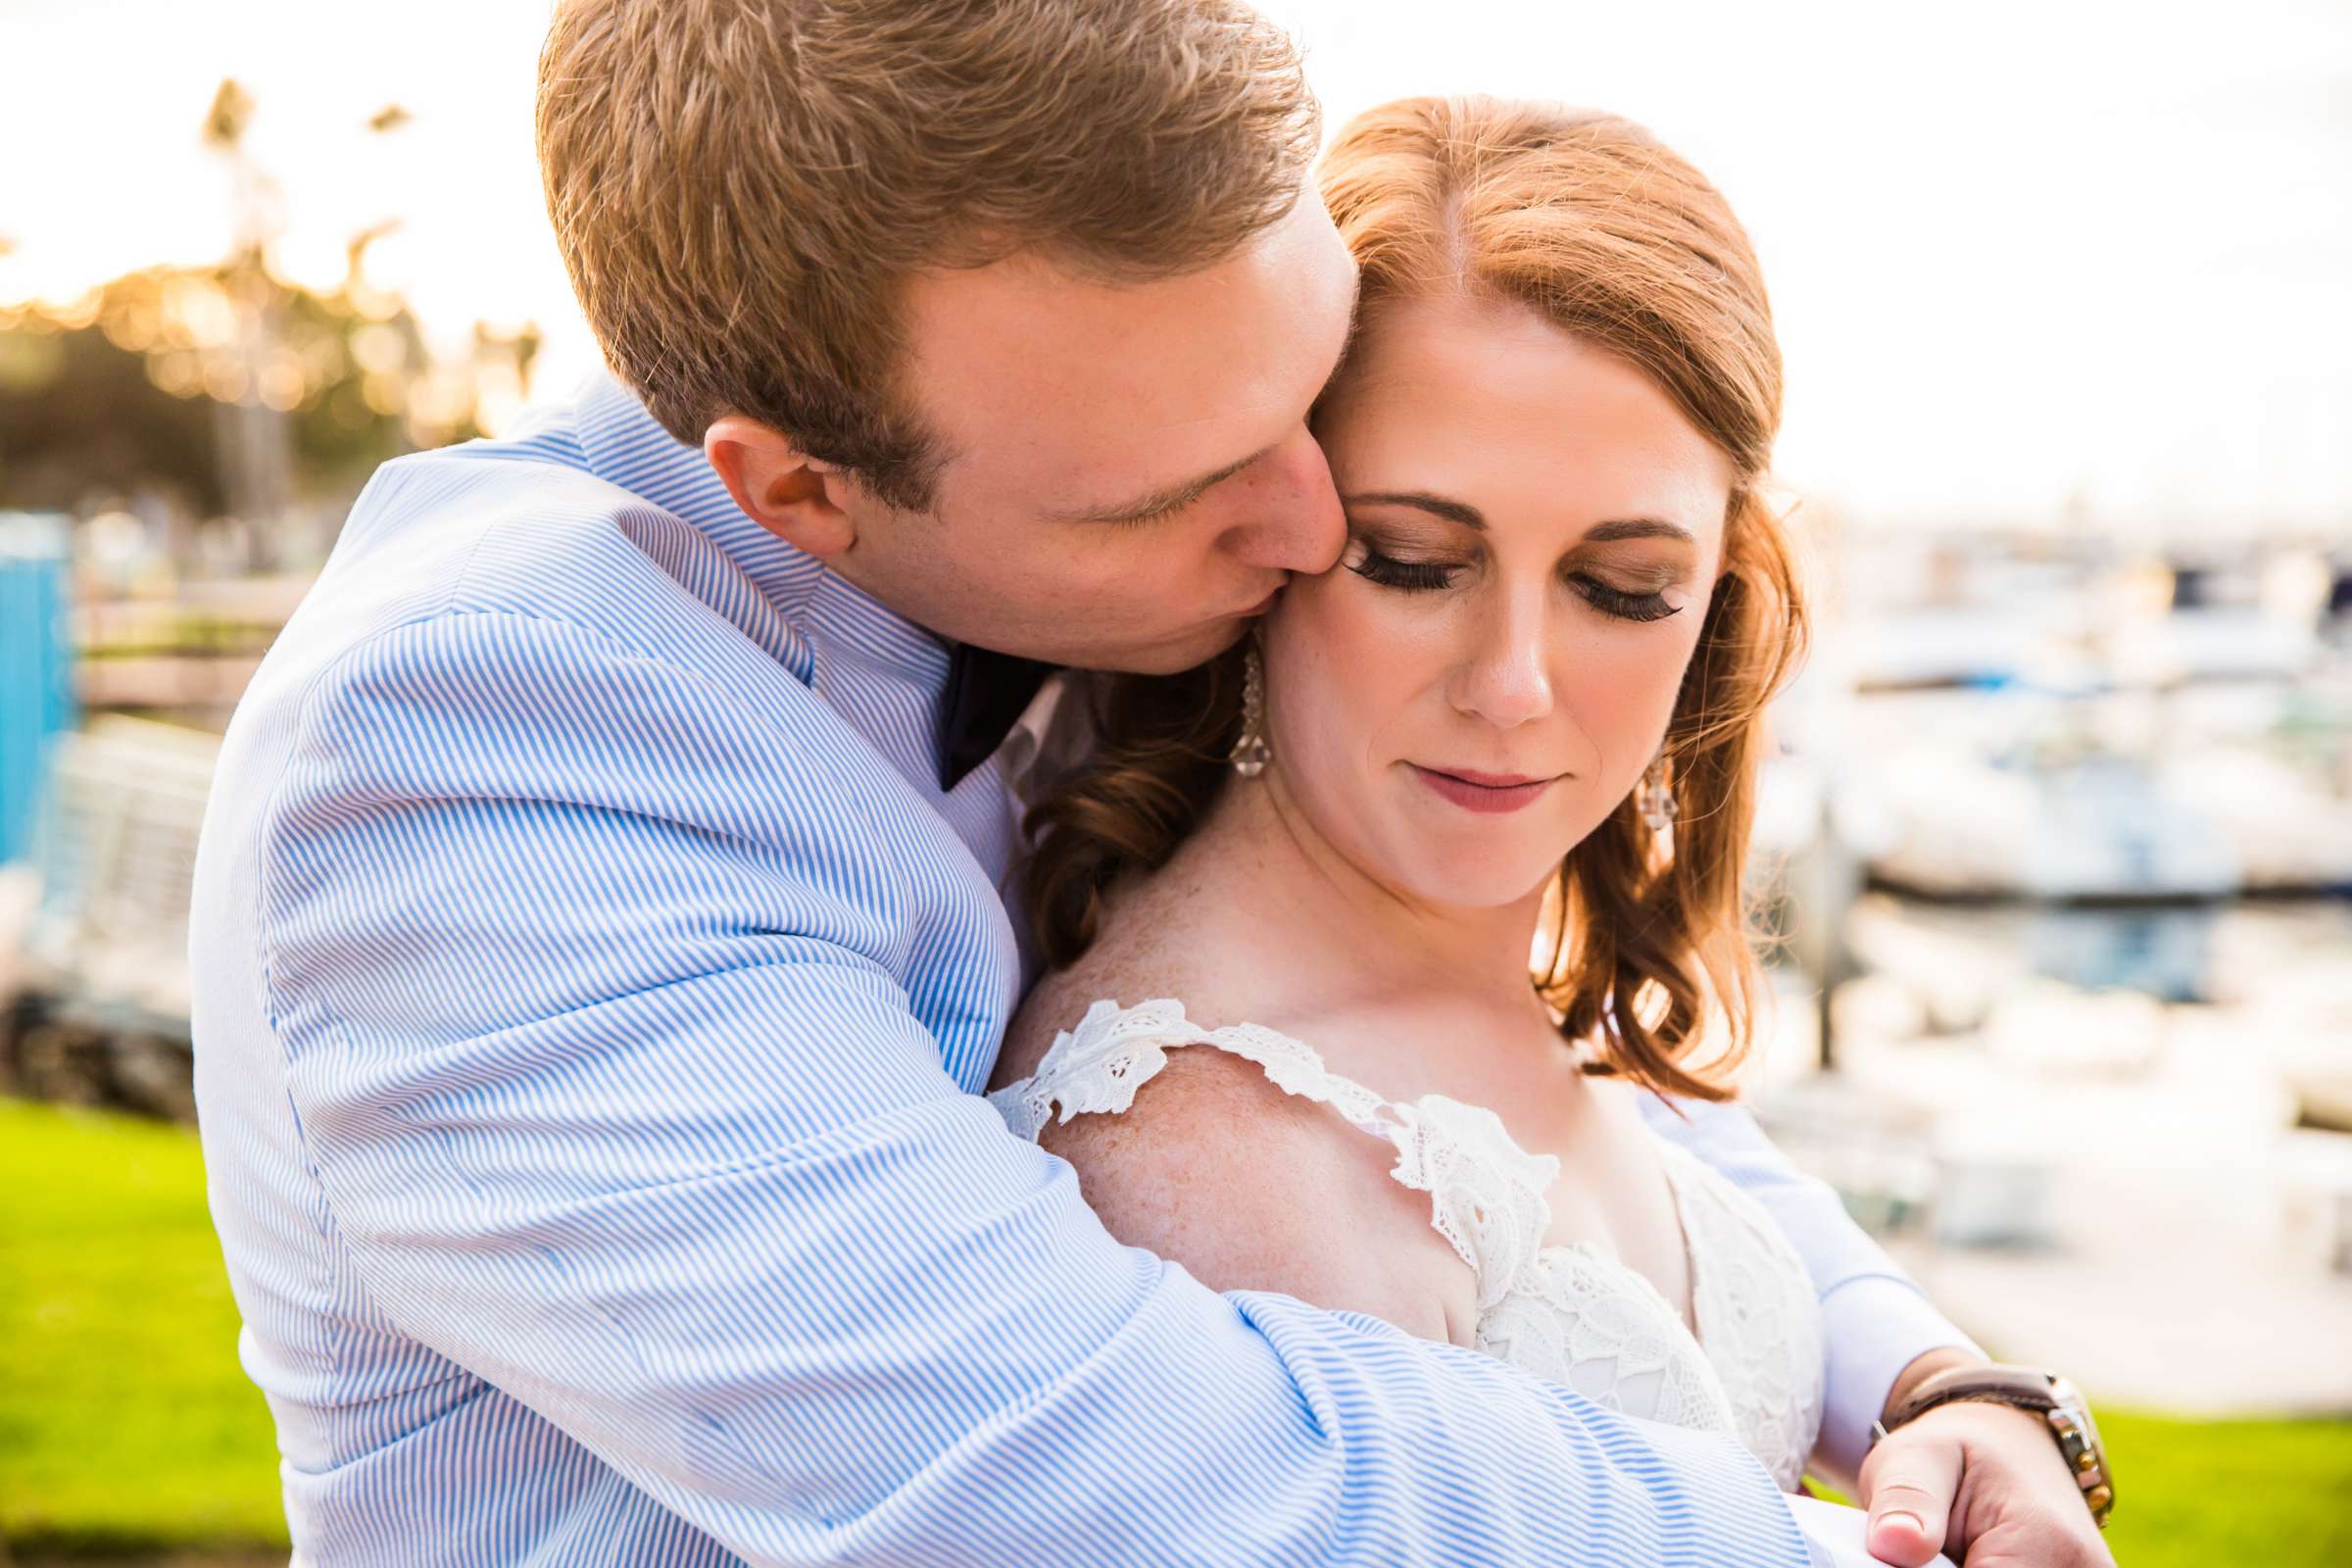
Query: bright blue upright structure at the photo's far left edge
[(36, 666)]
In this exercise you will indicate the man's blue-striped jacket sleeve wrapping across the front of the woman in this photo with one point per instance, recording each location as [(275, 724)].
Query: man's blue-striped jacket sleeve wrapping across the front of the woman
[(603, 1052)]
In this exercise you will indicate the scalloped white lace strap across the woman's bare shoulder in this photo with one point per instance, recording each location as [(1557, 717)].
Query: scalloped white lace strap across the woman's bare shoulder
[(1488, 1195)]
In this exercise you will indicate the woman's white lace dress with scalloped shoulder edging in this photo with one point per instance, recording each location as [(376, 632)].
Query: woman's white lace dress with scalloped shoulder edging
[(1561, 1311)]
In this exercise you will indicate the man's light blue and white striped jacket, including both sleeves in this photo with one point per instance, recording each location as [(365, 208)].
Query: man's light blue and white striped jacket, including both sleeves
[(592, 991)]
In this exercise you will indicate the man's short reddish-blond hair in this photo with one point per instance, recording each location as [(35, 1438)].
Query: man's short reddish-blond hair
[(742, 187)]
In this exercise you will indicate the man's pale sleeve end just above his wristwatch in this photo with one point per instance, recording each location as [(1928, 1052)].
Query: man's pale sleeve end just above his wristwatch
[(1876, 1320)]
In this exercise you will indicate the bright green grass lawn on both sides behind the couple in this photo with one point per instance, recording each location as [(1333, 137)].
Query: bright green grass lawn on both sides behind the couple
[(126, 1423)]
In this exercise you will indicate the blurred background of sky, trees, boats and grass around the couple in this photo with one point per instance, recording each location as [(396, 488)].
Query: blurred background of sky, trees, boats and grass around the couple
[(2057, 855)]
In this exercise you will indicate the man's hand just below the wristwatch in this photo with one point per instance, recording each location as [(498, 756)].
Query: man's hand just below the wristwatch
[(1982, 1482)]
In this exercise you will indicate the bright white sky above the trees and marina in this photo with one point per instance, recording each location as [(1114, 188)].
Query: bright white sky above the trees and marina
[(2031, 257)]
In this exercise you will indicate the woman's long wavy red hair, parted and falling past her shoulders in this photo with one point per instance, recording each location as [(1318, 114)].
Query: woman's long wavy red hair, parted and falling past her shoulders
[(1617, 241)]
